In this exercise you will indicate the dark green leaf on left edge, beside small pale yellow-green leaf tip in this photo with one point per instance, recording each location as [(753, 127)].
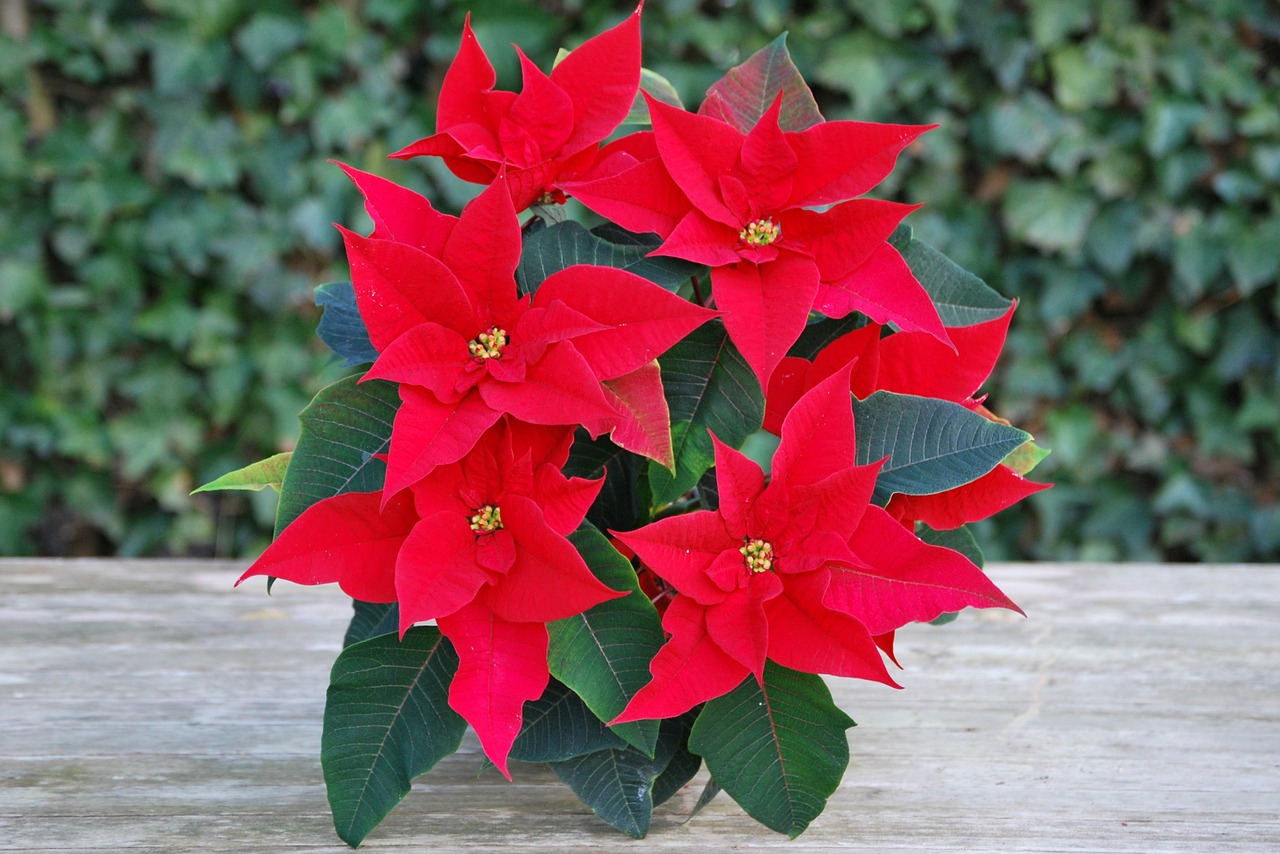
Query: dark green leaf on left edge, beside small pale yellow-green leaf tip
[(342, 430)]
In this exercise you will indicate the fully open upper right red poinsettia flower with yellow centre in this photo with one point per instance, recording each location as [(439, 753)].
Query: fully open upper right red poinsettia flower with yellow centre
[(740, 204)]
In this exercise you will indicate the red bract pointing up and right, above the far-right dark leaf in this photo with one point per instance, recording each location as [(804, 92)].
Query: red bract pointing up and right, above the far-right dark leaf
[(918, 364)]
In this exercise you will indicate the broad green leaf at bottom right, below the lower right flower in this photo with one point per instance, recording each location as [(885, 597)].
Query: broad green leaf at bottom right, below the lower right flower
[(779, 750)]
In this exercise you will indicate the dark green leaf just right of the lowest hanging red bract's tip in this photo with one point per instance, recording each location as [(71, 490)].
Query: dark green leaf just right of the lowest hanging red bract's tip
[(560, 727)]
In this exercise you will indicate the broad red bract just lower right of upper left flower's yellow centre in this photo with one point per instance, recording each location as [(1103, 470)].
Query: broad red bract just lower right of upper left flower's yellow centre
[(560, 389)]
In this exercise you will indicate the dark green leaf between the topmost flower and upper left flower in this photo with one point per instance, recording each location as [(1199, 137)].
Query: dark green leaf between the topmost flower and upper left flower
[(551, 250)]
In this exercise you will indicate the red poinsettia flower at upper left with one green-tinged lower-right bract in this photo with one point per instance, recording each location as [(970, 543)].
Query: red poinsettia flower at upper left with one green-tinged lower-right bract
[(442, 309)]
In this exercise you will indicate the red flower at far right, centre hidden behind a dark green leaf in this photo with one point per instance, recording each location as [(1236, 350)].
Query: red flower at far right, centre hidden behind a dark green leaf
[(912, 363)]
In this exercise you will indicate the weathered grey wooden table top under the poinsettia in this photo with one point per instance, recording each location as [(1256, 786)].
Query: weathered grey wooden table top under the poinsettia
[(150, 706)]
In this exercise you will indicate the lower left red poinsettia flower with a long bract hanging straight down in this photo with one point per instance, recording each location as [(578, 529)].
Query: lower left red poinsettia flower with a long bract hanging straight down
[(481, 547)]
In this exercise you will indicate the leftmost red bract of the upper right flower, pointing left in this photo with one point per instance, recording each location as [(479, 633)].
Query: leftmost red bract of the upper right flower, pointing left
[(639, 199)]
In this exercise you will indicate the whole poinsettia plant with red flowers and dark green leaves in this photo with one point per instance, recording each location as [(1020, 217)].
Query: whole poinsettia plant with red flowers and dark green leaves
[(534, 487)]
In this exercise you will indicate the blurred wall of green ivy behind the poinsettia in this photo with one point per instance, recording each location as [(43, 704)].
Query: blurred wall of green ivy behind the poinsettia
[(166, 213)]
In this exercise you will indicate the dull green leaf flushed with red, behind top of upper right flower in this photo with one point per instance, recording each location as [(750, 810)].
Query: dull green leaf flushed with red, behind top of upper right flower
[(747, 92)]
